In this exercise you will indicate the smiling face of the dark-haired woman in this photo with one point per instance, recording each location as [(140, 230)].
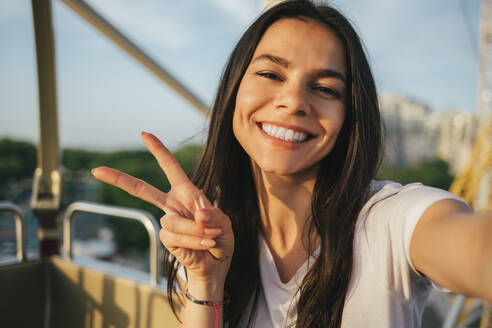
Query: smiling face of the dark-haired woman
[(290, 105)]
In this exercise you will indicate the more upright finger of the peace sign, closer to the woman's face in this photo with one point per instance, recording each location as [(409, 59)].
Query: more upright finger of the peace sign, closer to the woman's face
[(166, 160)]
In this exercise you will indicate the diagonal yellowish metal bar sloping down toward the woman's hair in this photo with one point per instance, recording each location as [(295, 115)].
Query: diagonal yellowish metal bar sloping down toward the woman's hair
[(105, 27)]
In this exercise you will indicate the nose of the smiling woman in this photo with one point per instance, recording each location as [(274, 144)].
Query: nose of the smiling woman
[(292, 98)]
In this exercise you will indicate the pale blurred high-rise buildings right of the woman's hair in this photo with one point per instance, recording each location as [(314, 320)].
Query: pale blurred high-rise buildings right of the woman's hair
[(415, 133)]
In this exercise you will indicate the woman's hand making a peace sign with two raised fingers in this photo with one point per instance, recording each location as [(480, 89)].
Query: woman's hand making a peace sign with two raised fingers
[(197, 233)]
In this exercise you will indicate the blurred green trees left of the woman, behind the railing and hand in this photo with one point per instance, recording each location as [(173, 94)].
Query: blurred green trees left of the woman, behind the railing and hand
[(18, 162)]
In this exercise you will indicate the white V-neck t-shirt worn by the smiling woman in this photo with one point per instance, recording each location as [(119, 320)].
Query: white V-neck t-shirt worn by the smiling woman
[(385, 289)]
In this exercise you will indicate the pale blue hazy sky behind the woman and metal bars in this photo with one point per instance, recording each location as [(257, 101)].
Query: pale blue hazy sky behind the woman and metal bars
[(426, 50)]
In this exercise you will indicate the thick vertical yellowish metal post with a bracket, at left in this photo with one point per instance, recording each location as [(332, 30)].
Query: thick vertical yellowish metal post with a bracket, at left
[(46, 192)]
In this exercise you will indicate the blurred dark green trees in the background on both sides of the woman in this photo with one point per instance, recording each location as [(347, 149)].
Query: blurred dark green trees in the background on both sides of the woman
[(18, 161)]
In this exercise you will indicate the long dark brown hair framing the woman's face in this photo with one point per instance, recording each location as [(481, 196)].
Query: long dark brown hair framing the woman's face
[(342, 183)]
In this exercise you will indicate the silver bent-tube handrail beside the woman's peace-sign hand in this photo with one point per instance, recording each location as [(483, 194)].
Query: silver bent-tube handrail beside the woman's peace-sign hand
[(143, 217)]
